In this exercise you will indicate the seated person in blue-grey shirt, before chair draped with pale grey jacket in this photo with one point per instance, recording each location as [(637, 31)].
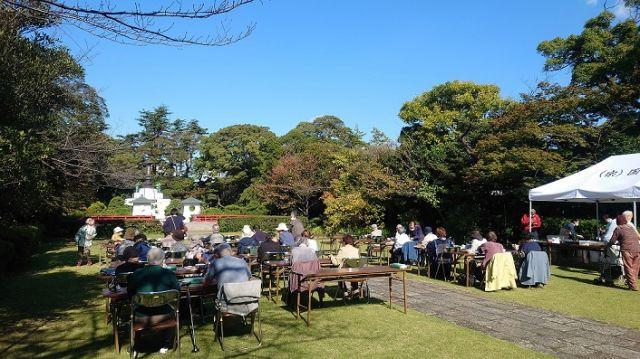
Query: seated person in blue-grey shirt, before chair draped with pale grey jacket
[(227, 268)]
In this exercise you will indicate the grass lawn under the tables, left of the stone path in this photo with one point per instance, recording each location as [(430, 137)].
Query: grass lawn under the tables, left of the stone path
[(55, 311)]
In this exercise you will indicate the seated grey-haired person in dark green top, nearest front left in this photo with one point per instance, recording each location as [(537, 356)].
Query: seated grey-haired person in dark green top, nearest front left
[(154, 278)]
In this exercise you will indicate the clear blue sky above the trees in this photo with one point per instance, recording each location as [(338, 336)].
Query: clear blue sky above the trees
[(359, 60)]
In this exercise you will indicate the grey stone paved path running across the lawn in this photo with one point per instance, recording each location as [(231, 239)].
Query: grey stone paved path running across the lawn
[(537, 329)]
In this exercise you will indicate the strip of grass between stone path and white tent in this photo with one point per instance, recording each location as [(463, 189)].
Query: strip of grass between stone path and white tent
[(571, 291)]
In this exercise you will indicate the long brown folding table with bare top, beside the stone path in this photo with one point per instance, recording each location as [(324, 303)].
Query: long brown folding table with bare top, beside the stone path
[(345, 274)]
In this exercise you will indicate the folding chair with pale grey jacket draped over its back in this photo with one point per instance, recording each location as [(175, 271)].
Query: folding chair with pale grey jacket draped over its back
[(238, 299)]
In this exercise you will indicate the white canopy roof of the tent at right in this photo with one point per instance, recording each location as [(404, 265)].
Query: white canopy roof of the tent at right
[(616, 179)]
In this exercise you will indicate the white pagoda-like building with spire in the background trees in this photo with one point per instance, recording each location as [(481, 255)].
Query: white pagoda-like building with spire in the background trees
[(147, 200)]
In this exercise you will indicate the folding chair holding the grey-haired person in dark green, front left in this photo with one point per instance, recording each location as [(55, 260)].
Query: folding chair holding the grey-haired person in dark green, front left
[(155, 300)]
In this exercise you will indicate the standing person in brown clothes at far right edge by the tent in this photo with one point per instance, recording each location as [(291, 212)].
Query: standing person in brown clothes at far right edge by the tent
[(629, 241)]
